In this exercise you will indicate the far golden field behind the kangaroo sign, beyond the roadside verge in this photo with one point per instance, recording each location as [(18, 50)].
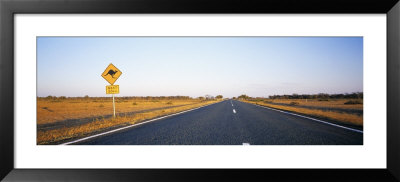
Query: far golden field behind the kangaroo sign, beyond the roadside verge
[(49, 111)]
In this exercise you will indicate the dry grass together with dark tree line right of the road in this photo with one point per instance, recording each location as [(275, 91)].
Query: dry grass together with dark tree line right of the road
[(341, 108)]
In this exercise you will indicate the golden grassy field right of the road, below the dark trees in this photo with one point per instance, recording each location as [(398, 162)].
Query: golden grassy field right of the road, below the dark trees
[(346, 111)]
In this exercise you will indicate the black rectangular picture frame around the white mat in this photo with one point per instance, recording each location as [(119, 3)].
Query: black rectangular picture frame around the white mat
[(8, 8)]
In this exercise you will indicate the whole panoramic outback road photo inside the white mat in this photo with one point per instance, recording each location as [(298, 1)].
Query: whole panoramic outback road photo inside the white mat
[(199, 91)]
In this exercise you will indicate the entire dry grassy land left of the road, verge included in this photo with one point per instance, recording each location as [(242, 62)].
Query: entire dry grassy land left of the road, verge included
[(91, 115)]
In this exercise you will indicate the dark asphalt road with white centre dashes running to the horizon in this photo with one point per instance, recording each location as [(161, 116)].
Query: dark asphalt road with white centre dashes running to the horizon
[(231, 123)]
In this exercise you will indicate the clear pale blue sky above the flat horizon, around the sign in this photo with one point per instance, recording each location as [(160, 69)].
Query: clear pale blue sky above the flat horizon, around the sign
[(196, 66)]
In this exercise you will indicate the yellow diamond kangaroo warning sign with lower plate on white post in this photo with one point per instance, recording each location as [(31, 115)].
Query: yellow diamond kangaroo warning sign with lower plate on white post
[(111, 74)]
